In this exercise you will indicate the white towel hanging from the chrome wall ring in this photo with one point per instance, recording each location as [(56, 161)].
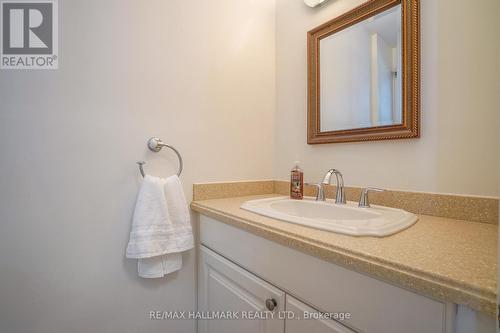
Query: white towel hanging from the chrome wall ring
[(161, 227)]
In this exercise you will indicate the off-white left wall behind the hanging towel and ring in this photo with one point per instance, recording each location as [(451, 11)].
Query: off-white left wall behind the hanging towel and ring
[(198, 74)]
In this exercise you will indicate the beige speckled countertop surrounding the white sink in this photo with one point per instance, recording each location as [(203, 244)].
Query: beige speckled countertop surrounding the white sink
[(450, 260)]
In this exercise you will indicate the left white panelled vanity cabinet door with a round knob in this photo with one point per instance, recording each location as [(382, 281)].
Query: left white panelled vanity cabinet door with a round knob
[(226, 287)]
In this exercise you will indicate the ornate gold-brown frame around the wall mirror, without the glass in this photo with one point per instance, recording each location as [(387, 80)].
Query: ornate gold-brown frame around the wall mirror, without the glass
[(410, 127)]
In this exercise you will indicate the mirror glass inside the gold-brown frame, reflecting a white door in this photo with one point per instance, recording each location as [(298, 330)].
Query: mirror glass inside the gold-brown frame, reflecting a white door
[(360, 81)]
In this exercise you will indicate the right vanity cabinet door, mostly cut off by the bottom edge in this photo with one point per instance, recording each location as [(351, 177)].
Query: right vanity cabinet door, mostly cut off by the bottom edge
[(300, 325)]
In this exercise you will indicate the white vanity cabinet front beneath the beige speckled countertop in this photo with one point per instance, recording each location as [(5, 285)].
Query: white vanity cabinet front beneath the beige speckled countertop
[(240, 271)]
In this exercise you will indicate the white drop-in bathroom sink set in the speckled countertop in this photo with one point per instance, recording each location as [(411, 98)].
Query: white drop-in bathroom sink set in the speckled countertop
[(325, 215)]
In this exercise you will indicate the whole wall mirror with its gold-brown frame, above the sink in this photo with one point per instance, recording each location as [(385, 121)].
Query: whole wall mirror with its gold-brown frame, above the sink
[(363, 74)]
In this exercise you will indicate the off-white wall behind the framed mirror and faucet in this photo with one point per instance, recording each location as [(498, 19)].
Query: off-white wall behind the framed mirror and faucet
[(458, 151)]
